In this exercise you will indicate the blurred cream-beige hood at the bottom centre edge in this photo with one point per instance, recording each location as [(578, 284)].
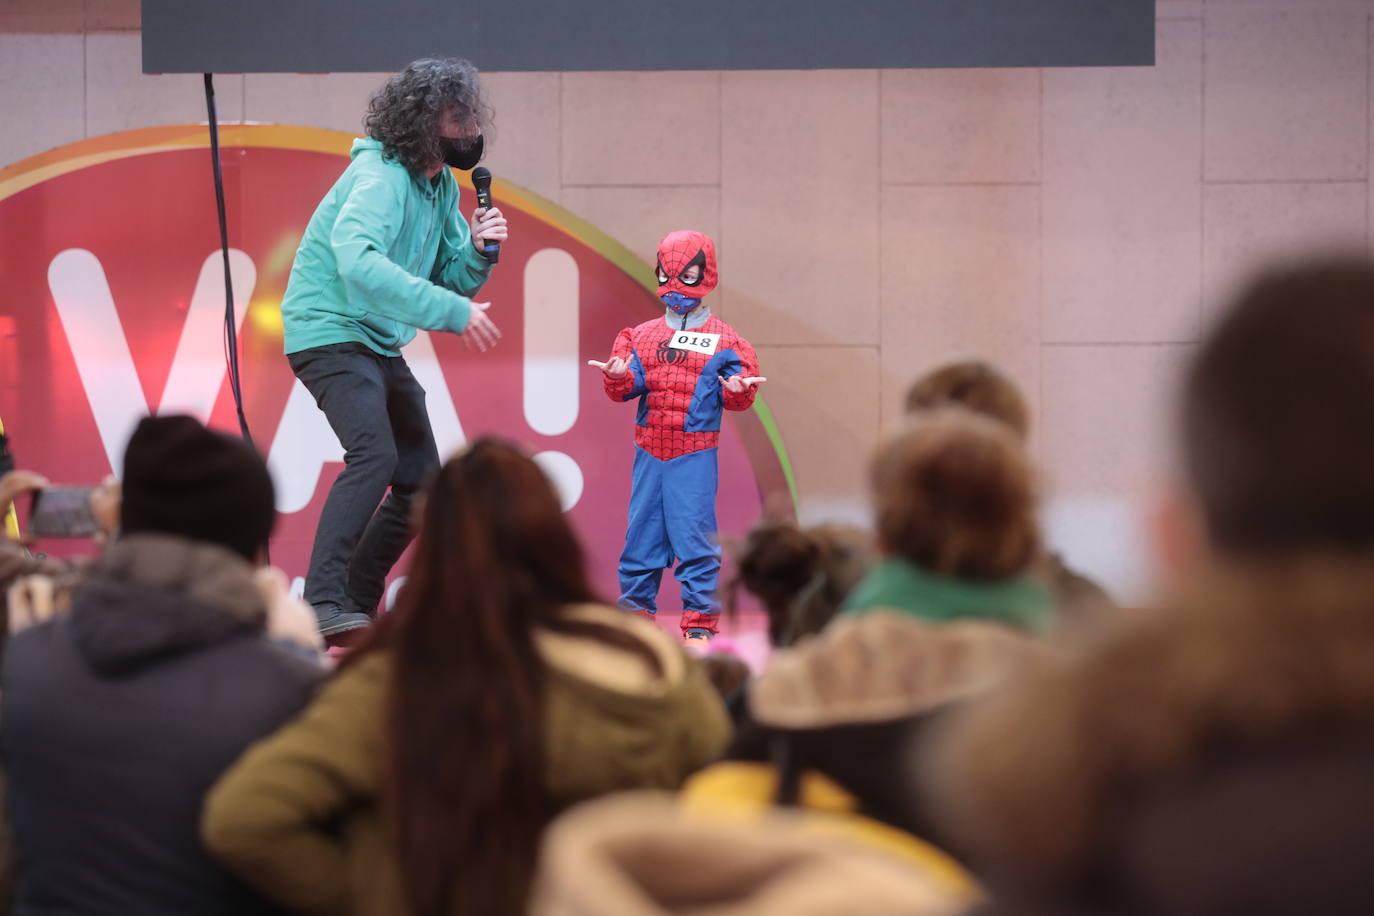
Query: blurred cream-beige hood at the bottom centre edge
[(641, 855)]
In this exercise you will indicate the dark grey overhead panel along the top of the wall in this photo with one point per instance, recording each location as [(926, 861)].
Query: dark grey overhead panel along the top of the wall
[(368, 36)]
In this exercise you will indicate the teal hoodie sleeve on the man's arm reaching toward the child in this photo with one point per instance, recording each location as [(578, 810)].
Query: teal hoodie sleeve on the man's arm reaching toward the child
[(363, 234)]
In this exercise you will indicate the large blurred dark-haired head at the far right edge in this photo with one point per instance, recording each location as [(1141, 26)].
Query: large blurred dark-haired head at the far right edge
[(1279, 439)]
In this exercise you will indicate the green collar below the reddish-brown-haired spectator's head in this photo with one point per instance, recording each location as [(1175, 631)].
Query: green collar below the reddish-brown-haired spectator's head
[(895, 584)]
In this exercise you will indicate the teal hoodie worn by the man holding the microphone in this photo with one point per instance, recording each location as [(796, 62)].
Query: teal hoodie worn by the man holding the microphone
[(385, 253)]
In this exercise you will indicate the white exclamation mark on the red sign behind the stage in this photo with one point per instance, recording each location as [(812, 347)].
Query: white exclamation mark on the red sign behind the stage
[(552, 360)]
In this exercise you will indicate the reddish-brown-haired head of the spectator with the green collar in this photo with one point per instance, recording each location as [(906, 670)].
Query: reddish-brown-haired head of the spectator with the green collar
[(954, 495)]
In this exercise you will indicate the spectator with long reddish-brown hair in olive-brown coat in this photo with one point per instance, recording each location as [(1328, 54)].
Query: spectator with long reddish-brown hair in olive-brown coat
[(495, 694)]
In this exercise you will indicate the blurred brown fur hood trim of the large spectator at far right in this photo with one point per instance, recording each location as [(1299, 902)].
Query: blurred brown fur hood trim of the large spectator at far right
[(1045, 778)]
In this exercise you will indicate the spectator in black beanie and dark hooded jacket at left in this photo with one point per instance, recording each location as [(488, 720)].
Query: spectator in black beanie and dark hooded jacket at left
[(117, 716)]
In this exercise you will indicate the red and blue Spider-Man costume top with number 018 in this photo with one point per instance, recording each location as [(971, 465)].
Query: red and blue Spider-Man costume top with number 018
[(682, 391)]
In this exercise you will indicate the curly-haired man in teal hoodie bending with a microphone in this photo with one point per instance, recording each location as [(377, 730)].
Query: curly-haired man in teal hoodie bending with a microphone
[(385, 255)]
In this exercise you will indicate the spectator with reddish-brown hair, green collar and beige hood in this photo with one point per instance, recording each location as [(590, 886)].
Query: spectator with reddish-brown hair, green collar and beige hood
[(835, 723)]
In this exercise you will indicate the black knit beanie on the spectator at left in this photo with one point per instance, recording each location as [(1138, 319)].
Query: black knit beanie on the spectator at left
[(182, 479)]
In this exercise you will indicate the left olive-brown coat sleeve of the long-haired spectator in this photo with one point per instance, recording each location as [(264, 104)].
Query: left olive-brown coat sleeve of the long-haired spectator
[(267, 819)]
